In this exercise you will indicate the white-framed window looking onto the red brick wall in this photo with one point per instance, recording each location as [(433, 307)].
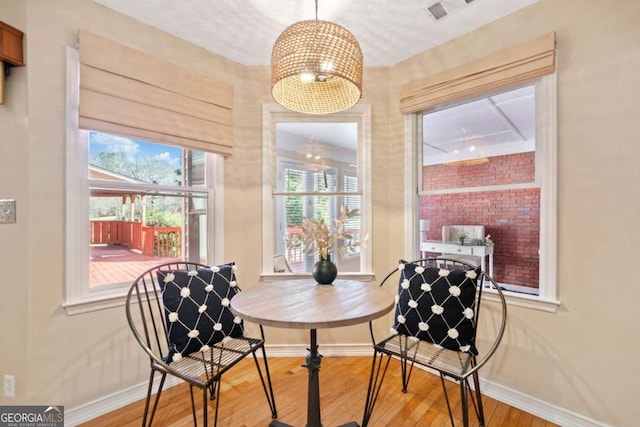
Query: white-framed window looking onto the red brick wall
[(491, 161)]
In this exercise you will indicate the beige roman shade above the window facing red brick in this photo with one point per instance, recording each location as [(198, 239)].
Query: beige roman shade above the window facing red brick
[(502, 69)]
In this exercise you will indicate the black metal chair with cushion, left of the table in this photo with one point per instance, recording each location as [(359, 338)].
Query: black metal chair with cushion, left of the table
[(179, 313)]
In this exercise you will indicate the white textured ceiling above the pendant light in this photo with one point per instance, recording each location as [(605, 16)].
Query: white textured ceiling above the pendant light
[(244, 31)]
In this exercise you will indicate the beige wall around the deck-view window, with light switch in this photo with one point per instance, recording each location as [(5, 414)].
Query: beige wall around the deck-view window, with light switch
[(56, 357)]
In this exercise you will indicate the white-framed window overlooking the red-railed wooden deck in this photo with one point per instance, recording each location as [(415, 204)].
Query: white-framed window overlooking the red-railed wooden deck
[(131, 204)]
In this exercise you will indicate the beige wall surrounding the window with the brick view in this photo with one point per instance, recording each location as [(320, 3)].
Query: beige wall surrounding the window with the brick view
[(577, 358)]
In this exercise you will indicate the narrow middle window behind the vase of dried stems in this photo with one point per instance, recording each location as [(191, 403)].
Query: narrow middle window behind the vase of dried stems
[(315, 167)]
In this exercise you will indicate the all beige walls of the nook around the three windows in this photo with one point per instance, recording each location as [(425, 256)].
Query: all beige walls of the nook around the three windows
[(576, 358)]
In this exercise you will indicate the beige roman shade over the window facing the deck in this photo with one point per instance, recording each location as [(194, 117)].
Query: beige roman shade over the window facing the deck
[(127, 92)]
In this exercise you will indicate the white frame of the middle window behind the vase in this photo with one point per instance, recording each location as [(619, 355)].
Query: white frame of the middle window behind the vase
[(273, 114)]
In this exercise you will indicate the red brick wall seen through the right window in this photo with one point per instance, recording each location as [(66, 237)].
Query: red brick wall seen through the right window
[(511, 217)]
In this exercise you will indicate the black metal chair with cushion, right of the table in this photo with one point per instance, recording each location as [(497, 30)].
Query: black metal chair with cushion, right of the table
[(437, 313)]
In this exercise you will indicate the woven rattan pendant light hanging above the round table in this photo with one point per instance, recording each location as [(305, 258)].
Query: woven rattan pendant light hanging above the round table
[(316, 67)]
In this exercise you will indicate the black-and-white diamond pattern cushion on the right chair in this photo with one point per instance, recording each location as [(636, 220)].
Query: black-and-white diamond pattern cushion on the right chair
[(437, 305)]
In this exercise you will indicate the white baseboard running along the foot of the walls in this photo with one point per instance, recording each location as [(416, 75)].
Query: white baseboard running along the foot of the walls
[(537, 407)]
